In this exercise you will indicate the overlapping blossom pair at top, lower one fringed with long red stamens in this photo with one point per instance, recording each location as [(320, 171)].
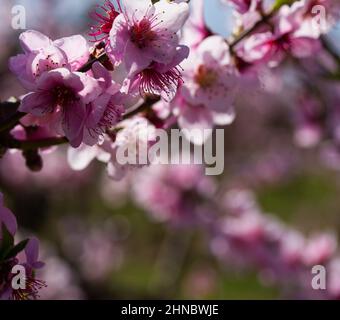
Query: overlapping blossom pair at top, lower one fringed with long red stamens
[(144, 39)]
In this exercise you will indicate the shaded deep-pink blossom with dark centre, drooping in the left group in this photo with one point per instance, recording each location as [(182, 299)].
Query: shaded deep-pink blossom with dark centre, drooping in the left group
[(65, 95)]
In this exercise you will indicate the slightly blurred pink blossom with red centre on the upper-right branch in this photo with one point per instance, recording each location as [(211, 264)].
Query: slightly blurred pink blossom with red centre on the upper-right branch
[(290, 36)]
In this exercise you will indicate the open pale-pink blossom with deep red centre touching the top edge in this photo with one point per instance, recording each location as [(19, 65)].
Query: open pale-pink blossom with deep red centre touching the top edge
[(144, 33)]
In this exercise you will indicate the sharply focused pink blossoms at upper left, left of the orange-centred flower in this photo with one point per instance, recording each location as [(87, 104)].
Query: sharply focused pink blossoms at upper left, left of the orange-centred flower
[(82, 93)]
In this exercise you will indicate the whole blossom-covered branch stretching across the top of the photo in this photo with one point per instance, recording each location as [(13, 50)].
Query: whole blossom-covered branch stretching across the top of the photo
[(156, 51)]
